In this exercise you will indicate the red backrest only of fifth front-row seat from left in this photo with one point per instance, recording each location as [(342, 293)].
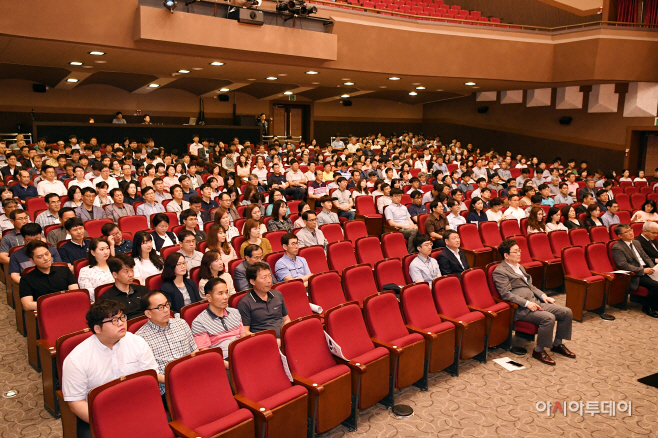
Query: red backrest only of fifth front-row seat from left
[(345, 325)]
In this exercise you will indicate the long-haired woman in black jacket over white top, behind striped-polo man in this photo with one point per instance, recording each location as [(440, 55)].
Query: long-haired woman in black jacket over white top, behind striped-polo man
[(179, 289)]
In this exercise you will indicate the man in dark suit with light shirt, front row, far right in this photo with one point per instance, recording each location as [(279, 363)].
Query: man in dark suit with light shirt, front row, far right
[(629, 256)]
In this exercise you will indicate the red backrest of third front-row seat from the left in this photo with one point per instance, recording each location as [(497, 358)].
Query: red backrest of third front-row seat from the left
[(257, 368)]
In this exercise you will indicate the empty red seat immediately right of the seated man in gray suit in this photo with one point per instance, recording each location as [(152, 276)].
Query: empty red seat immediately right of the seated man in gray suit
[(584, 290)]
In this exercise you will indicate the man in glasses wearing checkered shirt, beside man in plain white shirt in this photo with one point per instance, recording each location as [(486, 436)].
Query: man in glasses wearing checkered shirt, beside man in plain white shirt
[(169, 338)]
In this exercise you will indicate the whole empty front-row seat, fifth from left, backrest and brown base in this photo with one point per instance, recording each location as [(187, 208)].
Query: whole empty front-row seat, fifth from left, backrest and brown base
[(370, 365)]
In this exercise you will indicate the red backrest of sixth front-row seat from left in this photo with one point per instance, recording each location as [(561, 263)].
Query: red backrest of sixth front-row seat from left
[(383, 317)]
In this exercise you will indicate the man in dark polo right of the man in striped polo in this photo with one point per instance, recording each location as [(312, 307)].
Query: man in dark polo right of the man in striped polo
[(263, 308)]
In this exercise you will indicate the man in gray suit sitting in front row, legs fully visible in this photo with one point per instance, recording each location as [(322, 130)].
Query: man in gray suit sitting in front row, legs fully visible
[(515, 285)]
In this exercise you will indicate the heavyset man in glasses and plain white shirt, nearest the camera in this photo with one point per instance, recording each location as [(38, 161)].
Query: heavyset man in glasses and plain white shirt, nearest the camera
[(111, 352)]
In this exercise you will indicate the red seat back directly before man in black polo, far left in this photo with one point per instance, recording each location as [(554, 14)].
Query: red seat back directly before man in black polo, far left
[(62, 313)]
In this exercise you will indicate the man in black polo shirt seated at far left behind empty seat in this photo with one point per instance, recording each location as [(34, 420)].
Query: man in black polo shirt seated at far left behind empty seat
[(46, 278)]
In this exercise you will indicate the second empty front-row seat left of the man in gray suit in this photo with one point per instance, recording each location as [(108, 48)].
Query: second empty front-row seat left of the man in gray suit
[(451, 305)]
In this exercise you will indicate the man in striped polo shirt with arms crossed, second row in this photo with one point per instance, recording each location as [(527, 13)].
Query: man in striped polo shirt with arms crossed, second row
[(218, 325)]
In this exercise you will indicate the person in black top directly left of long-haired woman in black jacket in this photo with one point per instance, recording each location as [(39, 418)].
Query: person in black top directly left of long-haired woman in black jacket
[(122, 268)]
